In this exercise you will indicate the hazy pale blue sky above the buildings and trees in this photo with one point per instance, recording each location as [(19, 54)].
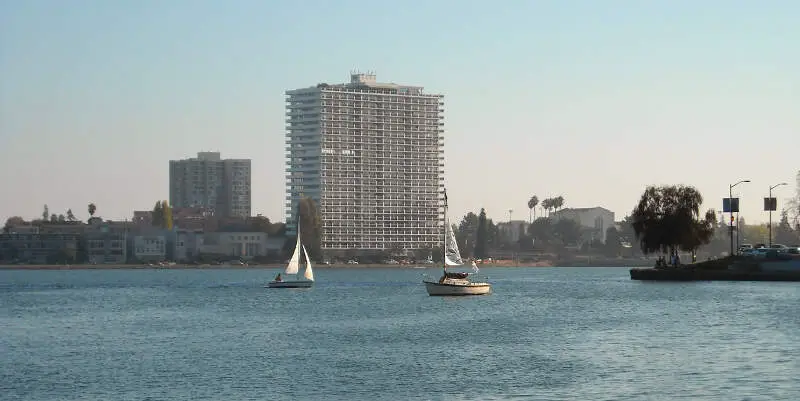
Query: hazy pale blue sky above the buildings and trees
[(589, 100)]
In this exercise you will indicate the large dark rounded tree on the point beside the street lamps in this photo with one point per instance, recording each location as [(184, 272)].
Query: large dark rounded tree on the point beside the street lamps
[(668, 218)]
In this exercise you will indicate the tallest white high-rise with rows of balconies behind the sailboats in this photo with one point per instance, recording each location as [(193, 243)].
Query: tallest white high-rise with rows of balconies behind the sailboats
[(371, 155)]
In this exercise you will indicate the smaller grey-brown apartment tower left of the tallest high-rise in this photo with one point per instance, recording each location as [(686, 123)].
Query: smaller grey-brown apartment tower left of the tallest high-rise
[(210, 182)]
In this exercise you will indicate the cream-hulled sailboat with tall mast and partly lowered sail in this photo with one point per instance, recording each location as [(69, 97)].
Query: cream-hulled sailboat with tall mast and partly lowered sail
[(454, 283)]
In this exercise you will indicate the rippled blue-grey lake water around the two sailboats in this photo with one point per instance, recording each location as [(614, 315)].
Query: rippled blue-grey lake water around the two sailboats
[(374, 334)]
